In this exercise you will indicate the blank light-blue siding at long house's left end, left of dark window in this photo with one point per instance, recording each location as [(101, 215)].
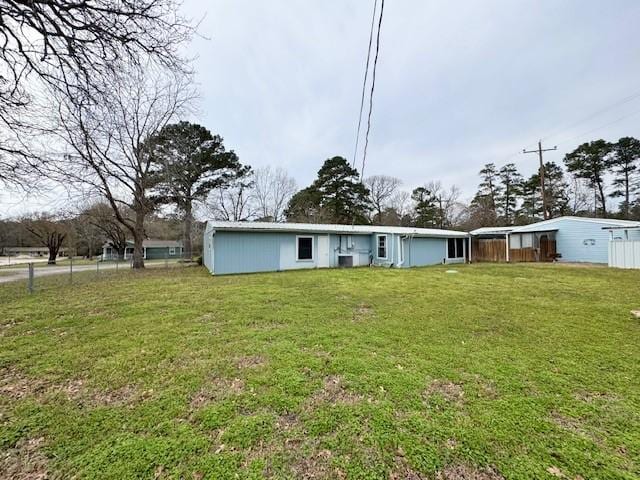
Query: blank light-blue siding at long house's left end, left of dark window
[(244, 252)]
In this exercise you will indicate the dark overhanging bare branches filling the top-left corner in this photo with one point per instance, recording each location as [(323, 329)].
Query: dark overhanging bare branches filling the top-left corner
[(72, 48)]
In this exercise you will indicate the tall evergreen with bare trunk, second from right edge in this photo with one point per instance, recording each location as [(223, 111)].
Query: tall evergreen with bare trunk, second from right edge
[(591, 162)]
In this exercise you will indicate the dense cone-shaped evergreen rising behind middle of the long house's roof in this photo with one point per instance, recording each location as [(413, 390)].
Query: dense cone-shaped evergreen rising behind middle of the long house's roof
[(336, 196)]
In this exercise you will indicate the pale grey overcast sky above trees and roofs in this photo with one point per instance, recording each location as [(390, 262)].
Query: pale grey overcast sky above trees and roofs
[(459, 84)]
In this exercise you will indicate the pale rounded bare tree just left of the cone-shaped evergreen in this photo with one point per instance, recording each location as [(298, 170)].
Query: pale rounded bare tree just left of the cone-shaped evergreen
[(272, 190)]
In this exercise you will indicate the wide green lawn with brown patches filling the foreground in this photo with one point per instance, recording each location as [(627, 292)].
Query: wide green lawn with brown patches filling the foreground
[(493, 372)]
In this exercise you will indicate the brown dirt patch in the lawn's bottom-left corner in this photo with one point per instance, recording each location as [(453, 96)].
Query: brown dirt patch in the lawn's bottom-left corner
[(24, 461)]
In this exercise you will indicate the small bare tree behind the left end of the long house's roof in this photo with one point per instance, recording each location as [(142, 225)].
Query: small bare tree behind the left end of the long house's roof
[(234, 204)]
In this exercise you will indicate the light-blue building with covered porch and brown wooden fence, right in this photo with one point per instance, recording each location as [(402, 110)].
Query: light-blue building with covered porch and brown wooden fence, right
[(563, 239)]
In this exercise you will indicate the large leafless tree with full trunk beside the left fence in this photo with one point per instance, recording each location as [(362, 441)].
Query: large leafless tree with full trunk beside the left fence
[(109, 142)]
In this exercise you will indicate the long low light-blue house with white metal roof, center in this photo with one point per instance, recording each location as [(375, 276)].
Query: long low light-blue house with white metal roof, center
[(243, 247)]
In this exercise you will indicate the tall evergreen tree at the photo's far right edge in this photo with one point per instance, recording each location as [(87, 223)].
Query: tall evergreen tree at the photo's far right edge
[(624, 160)]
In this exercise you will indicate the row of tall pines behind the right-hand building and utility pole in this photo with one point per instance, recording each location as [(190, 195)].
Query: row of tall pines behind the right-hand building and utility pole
[(599, 179)]
